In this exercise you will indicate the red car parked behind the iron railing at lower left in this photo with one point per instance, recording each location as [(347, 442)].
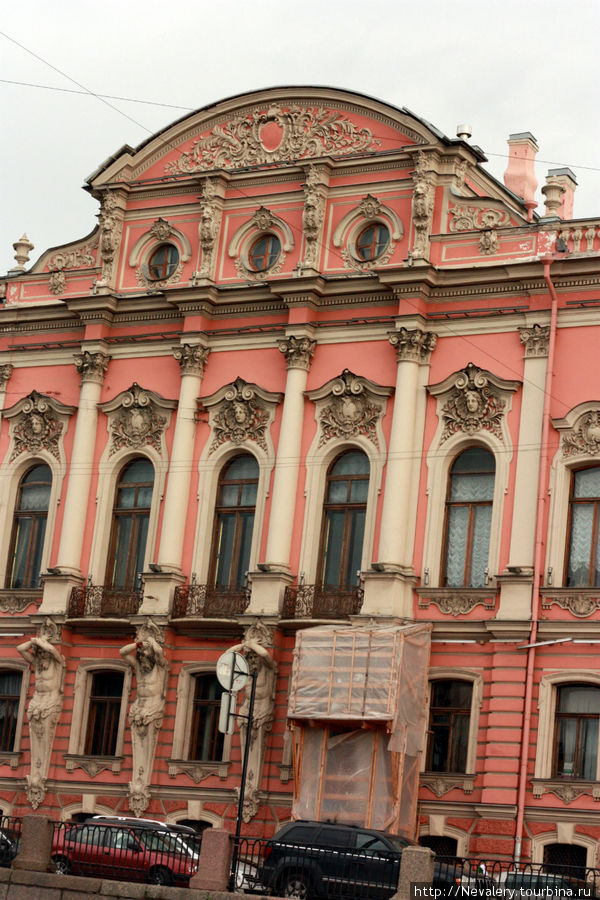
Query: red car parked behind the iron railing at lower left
[(123, 853)]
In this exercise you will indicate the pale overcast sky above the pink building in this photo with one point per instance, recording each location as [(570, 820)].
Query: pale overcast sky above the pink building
[(503, 67)]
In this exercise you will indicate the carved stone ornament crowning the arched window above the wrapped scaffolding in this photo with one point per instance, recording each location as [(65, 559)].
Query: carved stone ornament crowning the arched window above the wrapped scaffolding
[(349, 406)]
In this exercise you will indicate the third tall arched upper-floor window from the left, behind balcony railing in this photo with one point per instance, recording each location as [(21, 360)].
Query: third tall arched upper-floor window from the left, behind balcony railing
[(234, 522)]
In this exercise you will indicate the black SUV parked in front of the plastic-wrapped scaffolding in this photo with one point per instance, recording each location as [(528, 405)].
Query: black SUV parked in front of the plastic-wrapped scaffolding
[(318, 859)]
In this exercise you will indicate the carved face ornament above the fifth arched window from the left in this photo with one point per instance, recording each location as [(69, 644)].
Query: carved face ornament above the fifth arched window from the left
[(472, 400)]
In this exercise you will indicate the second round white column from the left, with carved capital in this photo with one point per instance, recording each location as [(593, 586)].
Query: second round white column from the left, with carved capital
[(191, 359)]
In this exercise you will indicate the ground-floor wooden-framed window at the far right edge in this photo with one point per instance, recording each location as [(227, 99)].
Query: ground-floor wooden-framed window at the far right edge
[(577, 731)]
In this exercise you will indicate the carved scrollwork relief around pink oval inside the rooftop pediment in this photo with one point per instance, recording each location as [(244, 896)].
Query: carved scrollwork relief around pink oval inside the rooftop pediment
[(275, 134)]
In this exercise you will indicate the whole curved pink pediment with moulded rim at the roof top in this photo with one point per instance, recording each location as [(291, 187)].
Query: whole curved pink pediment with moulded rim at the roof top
[(269, 126)]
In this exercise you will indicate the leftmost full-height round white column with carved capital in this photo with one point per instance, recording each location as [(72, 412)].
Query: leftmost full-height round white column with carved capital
[(92, 367)]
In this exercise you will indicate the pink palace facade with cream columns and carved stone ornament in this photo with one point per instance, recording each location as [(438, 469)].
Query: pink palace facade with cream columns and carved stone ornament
[(313, 367)]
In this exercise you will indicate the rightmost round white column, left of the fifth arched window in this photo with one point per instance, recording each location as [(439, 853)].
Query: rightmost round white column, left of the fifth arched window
[(395, 544)]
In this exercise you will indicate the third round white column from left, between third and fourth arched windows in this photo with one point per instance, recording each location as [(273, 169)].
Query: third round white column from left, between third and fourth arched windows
[(298, 351)]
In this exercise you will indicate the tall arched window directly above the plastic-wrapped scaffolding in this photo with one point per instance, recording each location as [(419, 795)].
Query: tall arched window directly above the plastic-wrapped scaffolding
[(343, 526)]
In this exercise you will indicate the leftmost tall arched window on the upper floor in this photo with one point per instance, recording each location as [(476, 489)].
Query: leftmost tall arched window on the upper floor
[(29, 528)]
